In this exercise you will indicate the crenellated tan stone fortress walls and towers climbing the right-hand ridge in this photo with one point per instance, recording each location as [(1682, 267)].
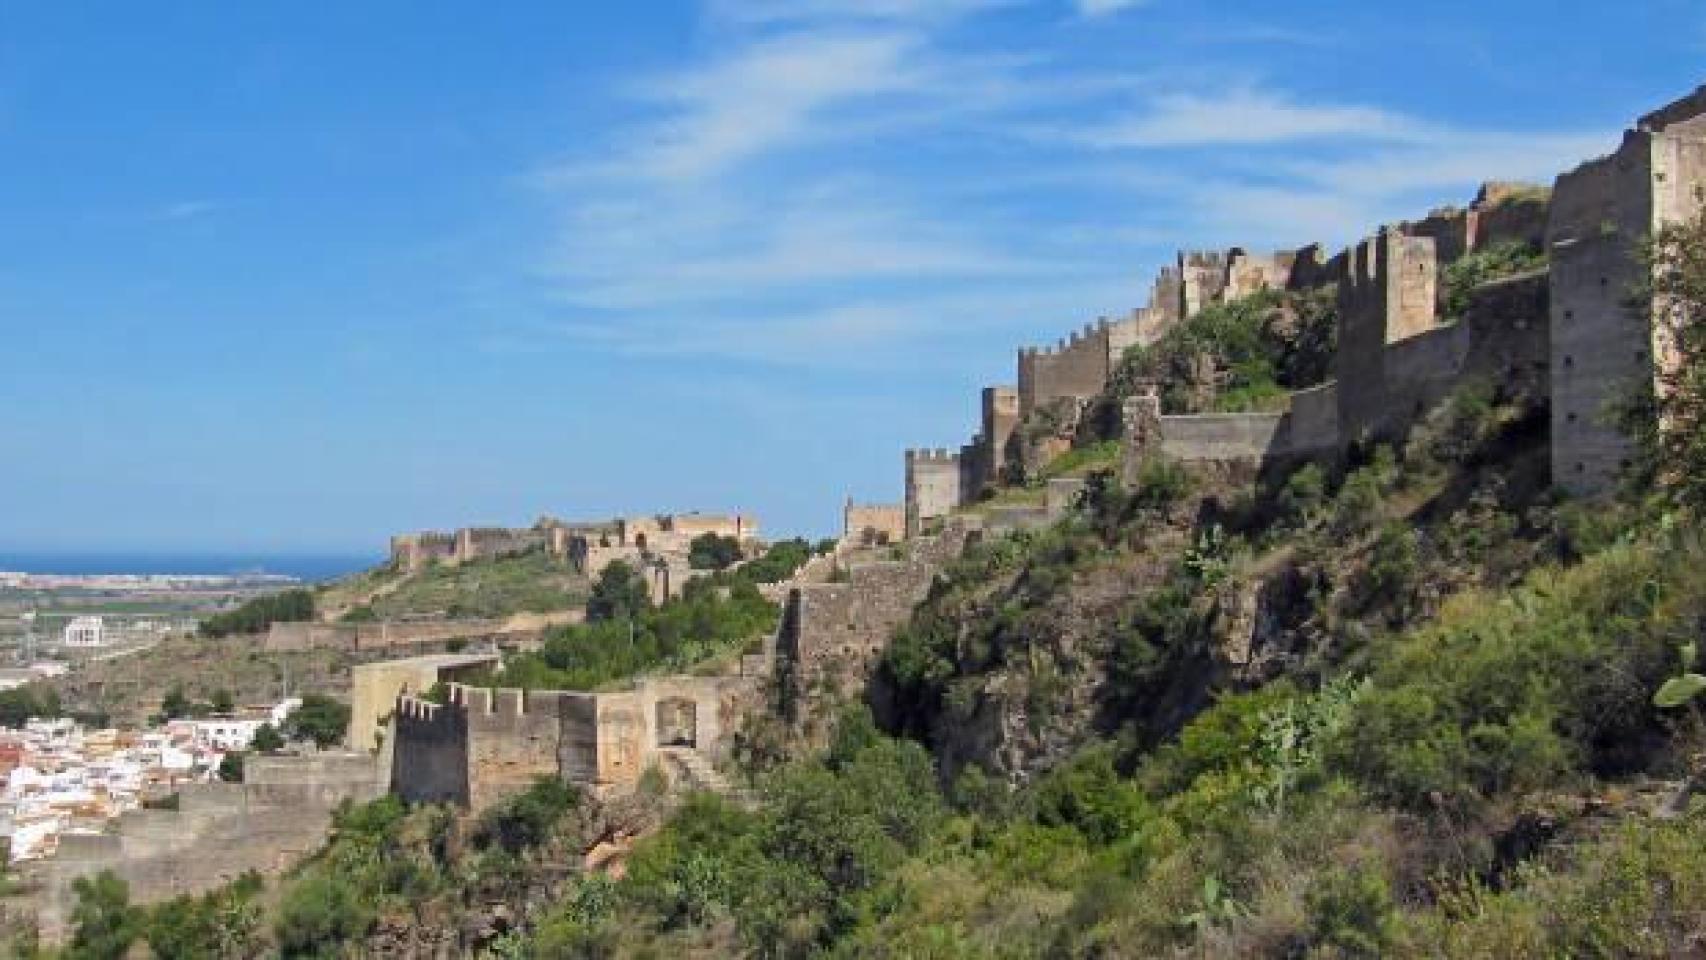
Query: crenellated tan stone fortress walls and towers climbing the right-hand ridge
[(1564, 337)]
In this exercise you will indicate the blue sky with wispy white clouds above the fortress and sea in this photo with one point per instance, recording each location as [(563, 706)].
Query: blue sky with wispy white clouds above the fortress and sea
[(293, 277)]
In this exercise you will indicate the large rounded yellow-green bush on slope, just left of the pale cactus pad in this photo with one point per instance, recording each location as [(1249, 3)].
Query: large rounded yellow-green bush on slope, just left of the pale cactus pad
[(1516, 693)]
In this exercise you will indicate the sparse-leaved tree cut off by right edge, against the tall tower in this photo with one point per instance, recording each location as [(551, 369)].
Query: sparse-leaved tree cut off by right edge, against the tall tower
[(1678, 299)]
